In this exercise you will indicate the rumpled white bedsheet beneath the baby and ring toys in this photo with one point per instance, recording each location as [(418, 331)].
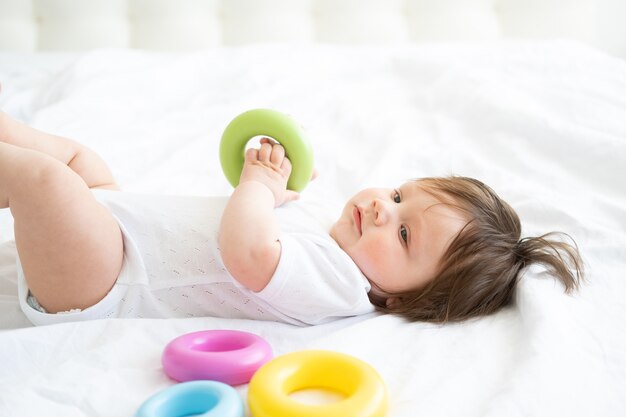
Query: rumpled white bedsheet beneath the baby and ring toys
[(543, 124)]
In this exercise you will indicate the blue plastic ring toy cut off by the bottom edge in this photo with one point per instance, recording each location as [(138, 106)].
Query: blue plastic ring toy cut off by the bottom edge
[(201, 398)]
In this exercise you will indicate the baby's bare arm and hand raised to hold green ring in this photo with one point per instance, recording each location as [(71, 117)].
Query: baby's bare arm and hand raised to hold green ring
[(249, 231)]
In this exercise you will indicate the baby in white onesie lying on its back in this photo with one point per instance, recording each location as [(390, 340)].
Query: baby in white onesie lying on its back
[(434, 249)]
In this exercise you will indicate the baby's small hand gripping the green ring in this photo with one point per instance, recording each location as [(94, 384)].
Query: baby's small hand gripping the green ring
[(270, 166)]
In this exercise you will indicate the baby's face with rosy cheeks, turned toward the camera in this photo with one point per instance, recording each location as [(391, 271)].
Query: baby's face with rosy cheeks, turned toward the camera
[(397, 237)]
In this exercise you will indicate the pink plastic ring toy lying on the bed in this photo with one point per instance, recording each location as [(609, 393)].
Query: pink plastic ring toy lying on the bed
[(227, 356)]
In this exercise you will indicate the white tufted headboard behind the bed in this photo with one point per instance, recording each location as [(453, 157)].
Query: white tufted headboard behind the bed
[(71, 25)]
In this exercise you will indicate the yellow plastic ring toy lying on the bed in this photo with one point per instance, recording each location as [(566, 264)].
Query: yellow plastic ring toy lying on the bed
[(364, 390)]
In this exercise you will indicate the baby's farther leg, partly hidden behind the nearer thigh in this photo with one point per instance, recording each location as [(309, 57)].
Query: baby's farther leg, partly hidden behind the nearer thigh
[(79, 158)]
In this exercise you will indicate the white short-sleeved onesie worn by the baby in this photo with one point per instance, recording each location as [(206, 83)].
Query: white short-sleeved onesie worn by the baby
[(172, 267)]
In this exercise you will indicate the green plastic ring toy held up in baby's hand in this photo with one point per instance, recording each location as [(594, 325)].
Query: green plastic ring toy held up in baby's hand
[(276, 125)]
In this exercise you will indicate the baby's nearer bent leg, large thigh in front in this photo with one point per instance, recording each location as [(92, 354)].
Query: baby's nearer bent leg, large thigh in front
[(69, 245)]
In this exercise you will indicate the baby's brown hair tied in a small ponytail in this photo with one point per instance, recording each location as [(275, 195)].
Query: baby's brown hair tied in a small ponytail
[(480, 269)]
